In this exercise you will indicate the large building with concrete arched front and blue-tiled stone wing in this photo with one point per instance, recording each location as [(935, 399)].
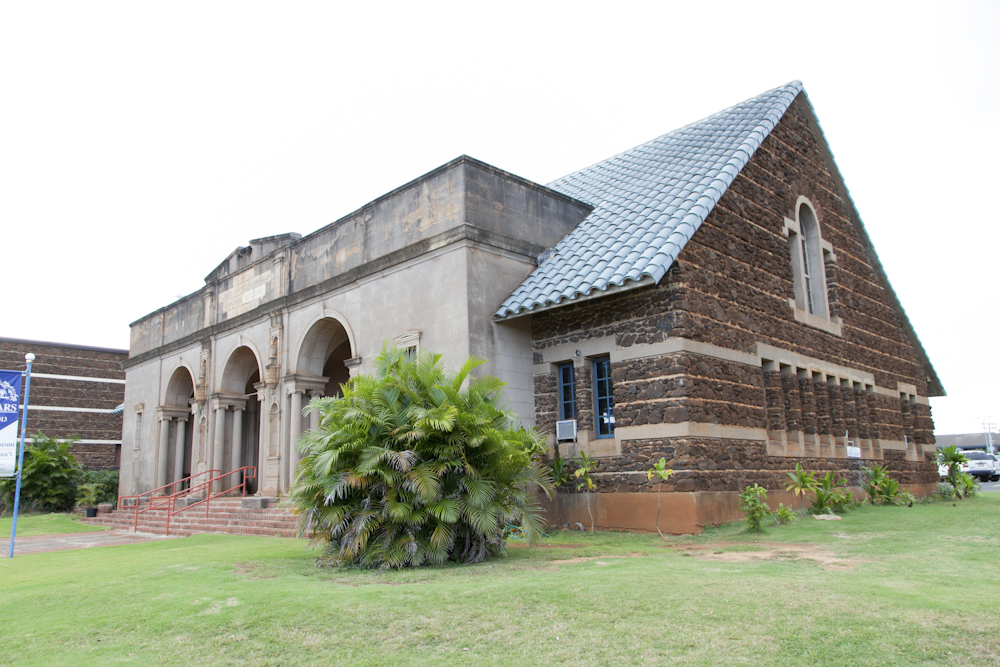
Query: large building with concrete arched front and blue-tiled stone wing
[(710, 297)]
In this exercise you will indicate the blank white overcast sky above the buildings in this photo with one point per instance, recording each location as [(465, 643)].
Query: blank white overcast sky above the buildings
[(141, 143)]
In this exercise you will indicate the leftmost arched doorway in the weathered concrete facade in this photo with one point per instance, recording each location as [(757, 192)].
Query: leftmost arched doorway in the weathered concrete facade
[(176, 415)]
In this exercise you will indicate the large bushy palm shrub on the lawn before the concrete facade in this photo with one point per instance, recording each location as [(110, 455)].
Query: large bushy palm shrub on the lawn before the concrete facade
[(415, 465)]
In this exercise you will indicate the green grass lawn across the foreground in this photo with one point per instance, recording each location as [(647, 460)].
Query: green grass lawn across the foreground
[(884, 586)]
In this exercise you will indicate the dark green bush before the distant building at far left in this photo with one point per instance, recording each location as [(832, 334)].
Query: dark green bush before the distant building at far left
[(49, 478)]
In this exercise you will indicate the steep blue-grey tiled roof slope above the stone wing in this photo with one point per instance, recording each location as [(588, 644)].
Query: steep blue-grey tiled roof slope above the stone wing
[(648, 202)]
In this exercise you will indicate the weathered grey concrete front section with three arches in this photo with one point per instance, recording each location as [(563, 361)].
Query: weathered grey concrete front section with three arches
[(218, 379)]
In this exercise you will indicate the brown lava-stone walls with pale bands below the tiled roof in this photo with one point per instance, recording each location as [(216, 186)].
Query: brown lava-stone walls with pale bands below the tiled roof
[(686, 357)]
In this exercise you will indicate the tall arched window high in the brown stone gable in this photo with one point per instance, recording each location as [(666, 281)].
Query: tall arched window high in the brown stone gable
[(809, 255)]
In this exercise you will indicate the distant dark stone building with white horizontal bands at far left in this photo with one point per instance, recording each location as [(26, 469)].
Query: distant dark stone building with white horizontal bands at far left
[(74, 392)]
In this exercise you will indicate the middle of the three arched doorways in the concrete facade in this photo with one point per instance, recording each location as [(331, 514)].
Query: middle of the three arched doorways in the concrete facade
[(237, 418)]
